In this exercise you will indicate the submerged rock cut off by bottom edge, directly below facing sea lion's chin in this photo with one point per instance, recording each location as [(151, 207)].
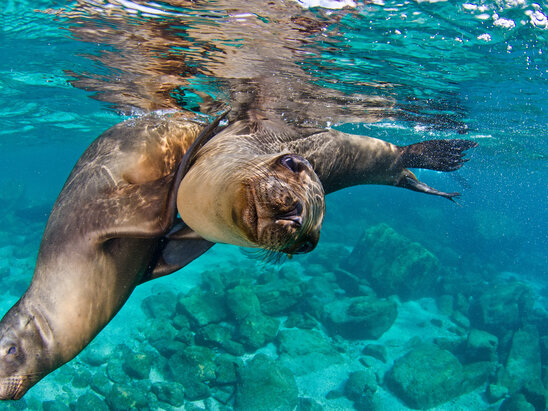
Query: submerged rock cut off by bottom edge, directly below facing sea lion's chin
[(264, 385)]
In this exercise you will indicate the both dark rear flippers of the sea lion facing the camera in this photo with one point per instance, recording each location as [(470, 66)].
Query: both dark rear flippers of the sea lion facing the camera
[(439, 155)]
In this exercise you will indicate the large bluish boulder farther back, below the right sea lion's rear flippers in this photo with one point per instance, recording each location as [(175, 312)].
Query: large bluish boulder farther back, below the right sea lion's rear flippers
[(393, 264)]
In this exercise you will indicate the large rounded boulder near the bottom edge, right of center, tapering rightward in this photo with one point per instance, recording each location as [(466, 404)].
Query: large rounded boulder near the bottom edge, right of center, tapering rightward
[(428, 376)]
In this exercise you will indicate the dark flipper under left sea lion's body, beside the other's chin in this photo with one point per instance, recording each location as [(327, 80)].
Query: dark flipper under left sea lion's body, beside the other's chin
[(181, 246)]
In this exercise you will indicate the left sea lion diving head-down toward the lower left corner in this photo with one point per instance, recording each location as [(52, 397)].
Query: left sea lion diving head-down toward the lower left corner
[(102, 238)]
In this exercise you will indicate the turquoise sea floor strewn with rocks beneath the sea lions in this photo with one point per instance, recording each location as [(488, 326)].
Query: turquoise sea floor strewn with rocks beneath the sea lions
[(321, 331)]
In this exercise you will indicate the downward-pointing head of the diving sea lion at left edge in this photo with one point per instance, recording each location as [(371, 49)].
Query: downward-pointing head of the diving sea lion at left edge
[(24, 357)]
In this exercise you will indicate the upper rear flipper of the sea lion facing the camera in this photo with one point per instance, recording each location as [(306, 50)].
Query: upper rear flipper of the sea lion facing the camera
[(439, 155)]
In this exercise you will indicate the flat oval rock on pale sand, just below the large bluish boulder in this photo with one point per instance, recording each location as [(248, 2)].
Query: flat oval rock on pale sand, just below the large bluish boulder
[(360, 317)]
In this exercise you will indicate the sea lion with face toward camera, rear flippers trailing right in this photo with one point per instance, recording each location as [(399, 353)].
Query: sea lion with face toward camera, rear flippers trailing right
[(320, 161)]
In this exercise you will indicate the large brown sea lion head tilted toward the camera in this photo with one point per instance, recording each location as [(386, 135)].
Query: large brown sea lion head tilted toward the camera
[(274, 202)]
